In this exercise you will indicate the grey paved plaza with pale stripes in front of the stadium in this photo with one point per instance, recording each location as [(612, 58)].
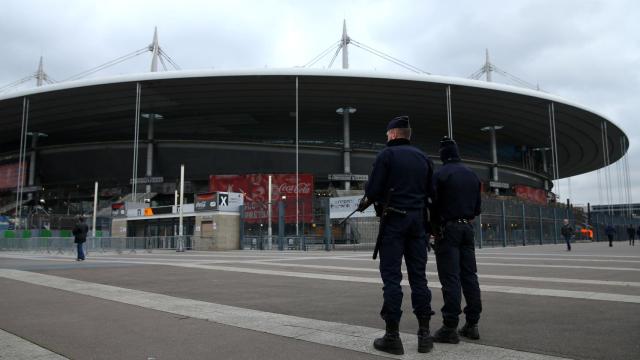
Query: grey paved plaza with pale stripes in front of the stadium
[(540, 302)]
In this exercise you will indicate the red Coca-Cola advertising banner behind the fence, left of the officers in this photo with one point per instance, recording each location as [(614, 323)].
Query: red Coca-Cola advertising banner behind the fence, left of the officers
[(255, 189)]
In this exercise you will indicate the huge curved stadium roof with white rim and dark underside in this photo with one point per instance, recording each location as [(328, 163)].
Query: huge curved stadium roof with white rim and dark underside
[(256, 105)]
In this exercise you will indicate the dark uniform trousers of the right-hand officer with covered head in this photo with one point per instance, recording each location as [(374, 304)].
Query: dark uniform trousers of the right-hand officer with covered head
[(456, 260)]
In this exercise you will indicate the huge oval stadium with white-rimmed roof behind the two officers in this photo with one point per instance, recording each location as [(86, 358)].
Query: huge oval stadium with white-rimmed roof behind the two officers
[(131, 133)]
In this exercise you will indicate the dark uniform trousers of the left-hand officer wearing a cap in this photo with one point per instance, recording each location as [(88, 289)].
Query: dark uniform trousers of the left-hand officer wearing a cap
[(404, 235)]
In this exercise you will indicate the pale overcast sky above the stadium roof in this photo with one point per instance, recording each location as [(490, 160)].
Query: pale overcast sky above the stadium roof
[(584, 51)]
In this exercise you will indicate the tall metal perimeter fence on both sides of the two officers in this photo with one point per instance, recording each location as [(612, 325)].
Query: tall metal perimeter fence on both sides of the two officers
[(503, 222)]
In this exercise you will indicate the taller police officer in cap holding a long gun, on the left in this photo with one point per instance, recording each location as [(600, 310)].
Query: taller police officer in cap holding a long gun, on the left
[(400, 183)]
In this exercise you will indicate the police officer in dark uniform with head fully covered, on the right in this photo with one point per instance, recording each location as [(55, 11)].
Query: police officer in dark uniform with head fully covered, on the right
[(457, 202)]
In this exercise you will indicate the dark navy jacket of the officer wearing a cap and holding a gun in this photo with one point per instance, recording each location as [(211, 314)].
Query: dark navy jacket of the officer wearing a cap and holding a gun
[(405, 169)]
